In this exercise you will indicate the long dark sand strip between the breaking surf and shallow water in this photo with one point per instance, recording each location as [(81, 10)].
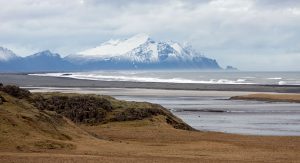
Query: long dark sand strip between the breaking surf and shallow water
[(24, 80)]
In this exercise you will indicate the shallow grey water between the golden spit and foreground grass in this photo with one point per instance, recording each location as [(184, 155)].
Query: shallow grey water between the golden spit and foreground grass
[(217, 113)]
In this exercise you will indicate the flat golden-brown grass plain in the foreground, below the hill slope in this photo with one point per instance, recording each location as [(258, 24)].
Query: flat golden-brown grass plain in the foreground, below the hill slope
[(155, 141)]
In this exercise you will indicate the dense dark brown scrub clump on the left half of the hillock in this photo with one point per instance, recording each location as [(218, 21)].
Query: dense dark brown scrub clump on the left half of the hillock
[(80, 109)]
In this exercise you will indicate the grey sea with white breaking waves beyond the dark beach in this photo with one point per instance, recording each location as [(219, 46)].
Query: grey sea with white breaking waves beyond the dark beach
[(207, 77)]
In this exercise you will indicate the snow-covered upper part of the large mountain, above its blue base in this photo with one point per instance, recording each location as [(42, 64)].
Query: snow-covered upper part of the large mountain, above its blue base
[(137, 49)]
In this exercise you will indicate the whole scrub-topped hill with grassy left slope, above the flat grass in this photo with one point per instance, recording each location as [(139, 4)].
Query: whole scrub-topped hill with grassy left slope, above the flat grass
[(41, 121)]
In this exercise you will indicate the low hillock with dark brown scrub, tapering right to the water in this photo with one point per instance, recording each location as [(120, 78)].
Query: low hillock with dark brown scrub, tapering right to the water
[(92, 109)]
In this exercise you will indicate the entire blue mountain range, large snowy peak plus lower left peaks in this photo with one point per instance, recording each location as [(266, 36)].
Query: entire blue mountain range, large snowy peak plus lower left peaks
[(137, 52)]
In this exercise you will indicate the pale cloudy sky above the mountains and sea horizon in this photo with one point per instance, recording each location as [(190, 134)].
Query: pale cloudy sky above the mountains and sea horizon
[(248, 34)]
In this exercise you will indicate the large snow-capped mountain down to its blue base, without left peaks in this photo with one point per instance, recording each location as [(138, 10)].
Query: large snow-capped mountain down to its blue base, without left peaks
[(140, 51)]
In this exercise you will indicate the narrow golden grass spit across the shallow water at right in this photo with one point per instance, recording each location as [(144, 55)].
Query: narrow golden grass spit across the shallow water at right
[(270, 97)]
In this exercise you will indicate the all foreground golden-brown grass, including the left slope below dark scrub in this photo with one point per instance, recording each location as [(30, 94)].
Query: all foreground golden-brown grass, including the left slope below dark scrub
[(27, 136)]
